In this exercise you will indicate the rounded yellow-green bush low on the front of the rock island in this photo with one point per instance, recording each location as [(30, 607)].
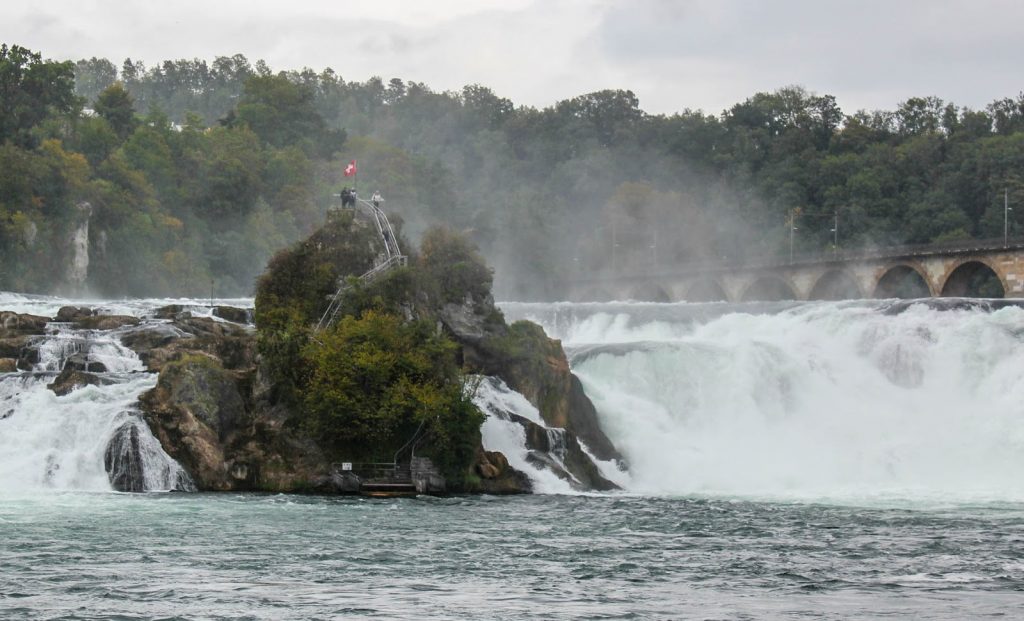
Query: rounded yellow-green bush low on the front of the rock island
[(375, 380)]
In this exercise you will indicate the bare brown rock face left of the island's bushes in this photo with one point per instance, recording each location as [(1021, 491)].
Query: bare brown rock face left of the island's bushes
[(210, 413)]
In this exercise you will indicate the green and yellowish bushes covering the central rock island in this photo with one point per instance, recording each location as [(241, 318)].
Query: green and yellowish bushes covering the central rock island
[(383, 372)]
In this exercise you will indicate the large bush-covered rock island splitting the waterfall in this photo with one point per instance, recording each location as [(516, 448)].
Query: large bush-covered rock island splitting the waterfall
[(383, 393)]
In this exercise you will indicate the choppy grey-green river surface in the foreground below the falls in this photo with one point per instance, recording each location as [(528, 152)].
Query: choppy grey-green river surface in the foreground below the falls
[(89, 556)]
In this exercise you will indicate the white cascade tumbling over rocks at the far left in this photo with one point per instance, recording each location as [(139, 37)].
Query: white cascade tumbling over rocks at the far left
[(91, 439)]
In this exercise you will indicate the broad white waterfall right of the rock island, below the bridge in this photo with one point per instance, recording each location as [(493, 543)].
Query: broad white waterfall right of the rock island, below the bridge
[(820, 400)]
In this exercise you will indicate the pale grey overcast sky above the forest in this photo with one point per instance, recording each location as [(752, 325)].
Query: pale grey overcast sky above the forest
[(672, 54)]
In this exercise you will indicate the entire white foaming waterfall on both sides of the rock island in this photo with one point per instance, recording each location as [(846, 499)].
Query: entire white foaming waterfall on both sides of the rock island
[(830, 400)]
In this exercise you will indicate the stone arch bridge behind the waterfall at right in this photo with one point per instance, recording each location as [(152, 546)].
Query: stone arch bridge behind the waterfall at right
[(977, 269)]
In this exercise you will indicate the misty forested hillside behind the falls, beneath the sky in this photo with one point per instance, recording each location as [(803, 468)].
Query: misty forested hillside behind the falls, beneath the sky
[(197, 172)]
